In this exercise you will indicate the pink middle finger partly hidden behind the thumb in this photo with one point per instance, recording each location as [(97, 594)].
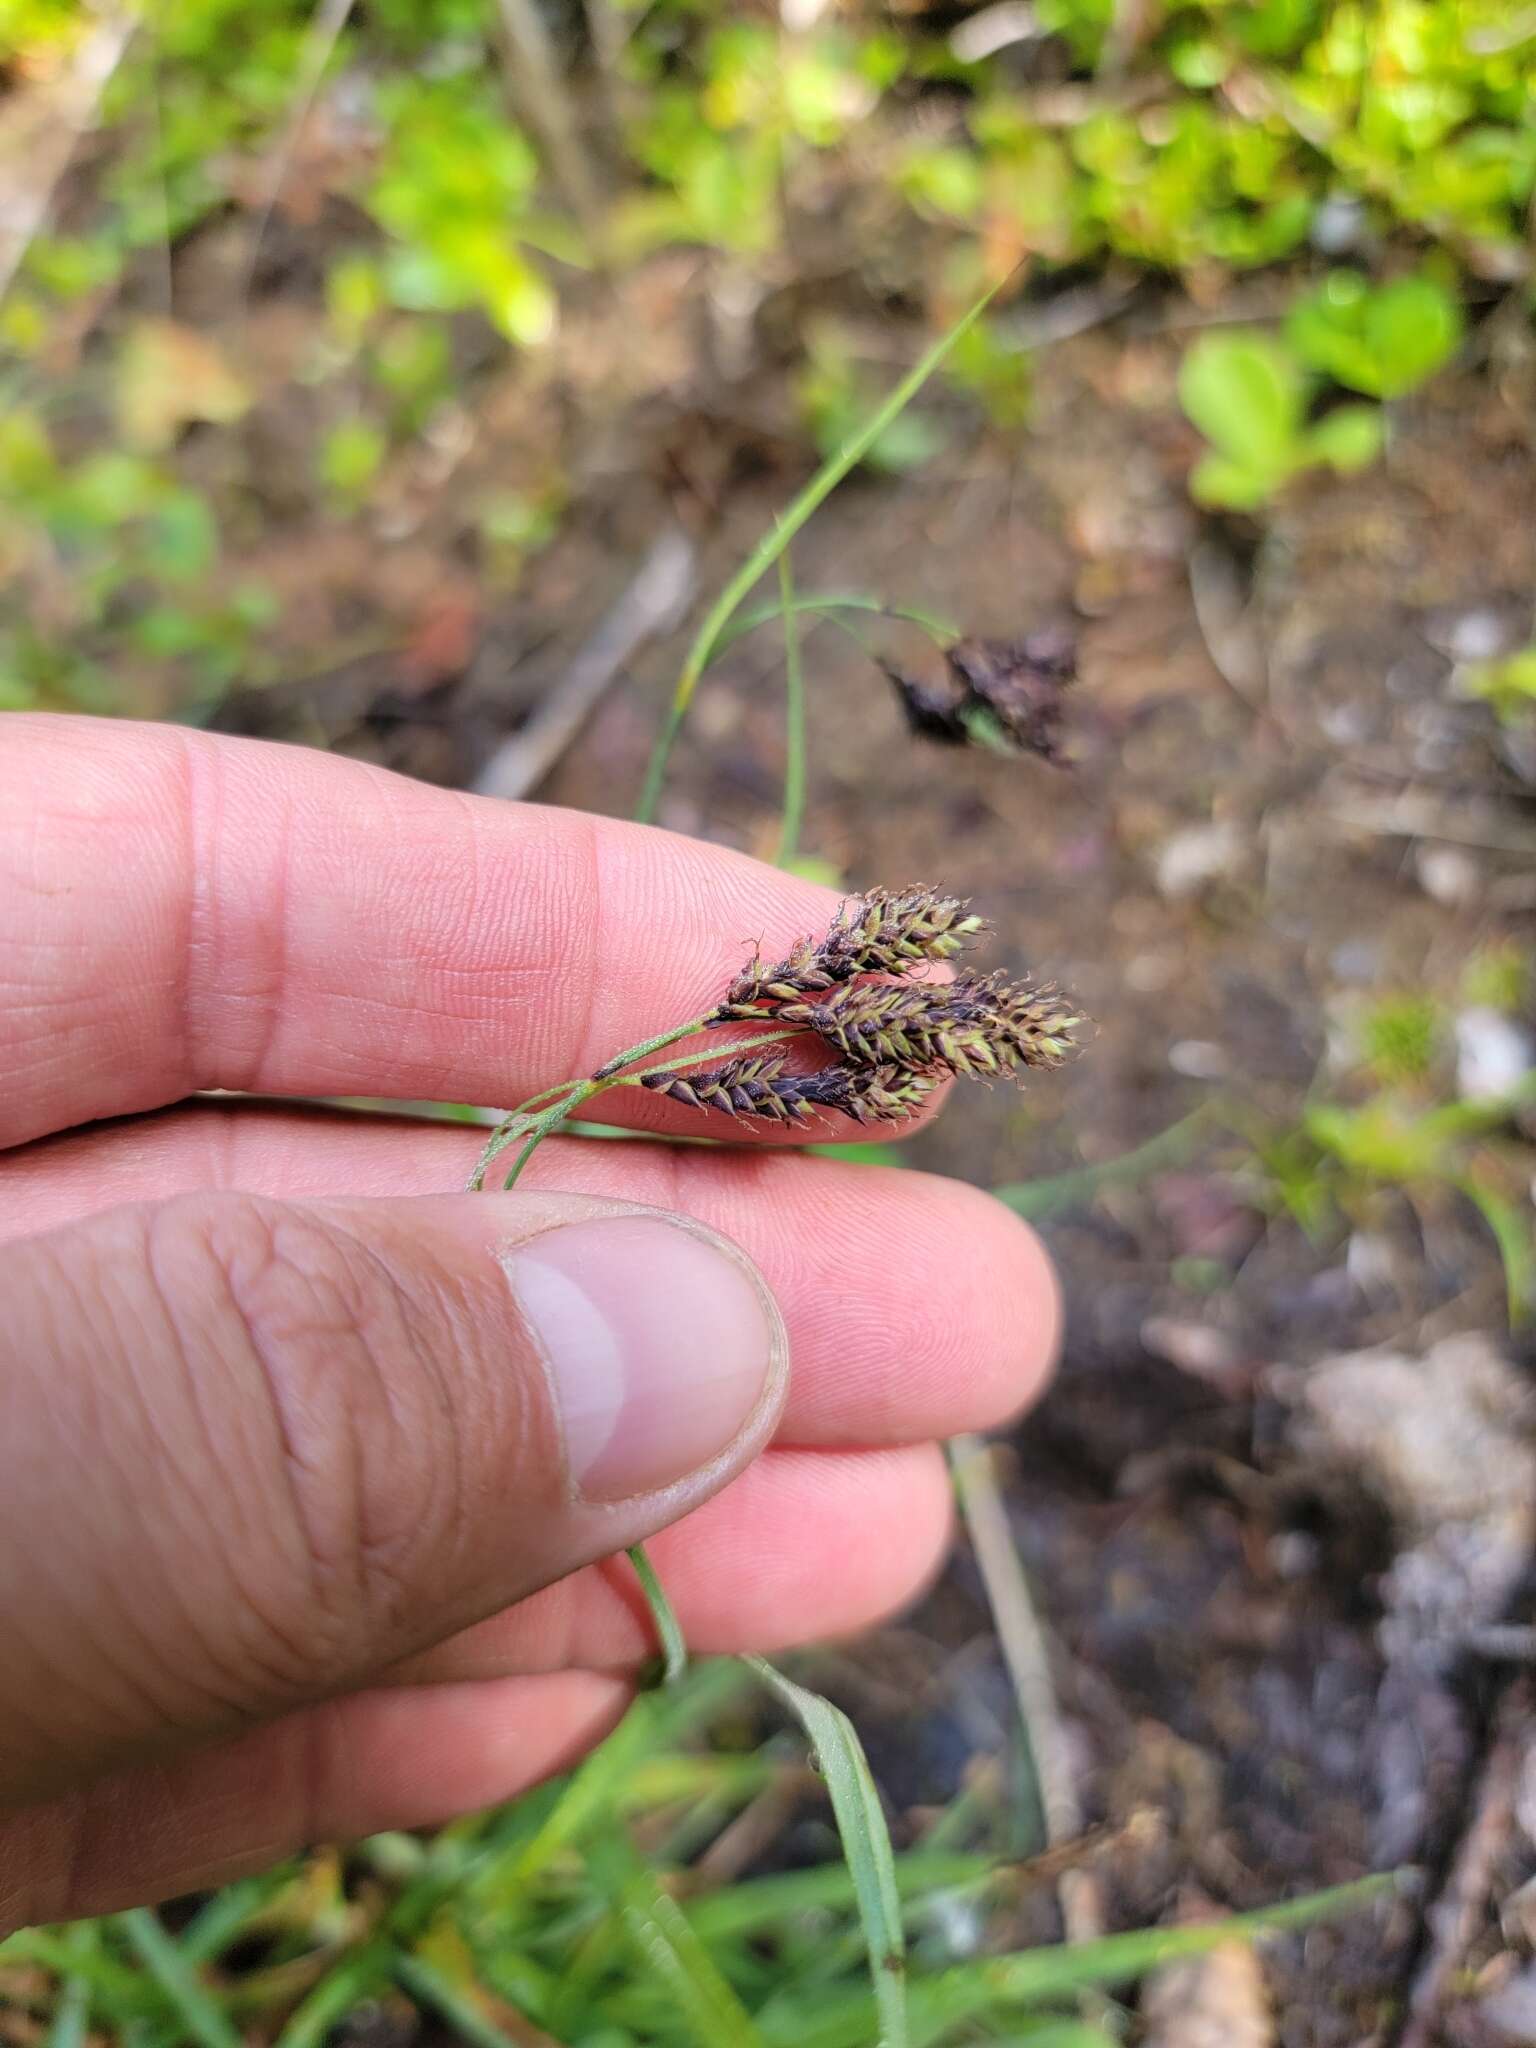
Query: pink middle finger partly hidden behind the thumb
[(908, 1357)]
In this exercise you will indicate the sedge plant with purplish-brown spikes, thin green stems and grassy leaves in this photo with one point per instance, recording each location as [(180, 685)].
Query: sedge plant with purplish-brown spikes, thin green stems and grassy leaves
[(544, 1908)]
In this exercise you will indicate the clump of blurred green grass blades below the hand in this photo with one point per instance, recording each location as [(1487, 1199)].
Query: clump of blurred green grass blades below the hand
[(581, 1916)]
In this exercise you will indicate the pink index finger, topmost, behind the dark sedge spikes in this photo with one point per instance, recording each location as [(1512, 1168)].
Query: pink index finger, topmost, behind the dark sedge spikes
[(185, 912)]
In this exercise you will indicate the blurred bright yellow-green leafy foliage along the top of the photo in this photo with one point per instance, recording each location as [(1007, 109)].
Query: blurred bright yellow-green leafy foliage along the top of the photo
[(1215, 138)]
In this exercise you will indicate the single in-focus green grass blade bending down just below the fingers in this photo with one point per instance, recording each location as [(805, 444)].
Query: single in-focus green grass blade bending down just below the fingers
[(865, 1842)]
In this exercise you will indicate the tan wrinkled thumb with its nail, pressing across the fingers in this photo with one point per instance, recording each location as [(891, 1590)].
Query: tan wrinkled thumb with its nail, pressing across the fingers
[(259, 1451)]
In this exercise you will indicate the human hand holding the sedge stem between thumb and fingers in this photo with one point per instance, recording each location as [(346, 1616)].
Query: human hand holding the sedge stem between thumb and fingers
[(314, 1478)]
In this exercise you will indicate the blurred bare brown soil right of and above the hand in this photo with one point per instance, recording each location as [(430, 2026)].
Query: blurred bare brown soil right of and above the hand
[(1275, 806)]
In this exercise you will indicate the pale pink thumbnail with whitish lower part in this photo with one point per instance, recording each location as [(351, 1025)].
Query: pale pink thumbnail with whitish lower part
[(660, 1342)]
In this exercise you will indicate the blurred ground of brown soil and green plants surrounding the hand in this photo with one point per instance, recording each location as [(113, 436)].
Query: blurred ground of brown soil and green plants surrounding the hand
[(353, 351)]
